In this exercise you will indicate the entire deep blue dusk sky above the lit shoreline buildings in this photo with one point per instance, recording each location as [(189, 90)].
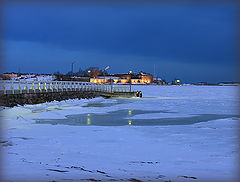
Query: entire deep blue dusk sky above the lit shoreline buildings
[(193, 42)]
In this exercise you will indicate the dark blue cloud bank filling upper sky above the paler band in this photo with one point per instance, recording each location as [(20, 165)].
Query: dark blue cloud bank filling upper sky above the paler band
[(193, 32)]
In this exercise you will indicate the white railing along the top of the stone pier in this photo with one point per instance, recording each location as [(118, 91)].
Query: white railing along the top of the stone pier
[(19, 87)]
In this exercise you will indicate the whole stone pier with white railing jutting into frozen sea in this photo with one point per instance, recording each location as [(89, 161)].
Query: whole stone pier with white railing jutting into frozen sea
[(34, 92)]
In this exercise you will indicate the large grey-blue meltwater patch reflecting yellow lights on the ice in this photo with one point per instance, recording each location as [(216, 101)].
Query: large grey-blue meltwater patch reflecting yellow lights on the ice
[(123, 117)]
